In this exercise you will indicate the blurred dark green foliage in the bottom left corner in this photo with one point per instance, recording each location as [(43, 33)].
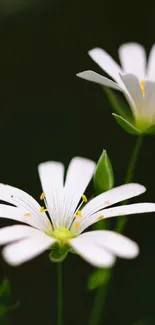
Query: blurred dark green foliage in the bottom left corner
[(6, 304)]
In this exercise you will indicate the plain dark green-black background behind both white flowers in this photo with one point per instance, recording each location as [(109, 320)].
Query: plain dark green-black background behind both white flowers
[(47, 113)]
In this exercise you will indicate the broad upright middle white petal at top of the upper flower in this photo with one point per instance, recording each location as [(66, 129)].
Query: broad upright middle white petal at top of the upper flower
[(133, 59)]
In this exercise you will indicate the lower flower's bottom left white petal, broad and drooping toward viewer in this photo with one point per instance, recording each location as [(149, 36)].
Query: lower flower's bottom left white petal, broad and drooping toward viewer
[(26, 249)]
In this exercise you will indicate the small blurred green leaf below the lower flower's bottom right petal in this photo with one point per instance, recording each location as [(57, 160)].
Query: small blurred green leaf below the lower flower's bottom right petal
[(98, 278)]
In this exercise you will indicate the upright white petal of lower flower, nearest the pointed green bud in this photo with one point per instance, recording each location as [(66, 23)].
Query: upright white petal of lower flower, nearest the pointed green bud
[(79, 174)]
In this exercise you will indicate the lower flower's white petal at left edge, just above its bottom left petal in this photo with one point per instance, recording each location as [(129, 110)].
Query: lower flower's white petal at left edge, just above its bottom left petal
[(12, 233)]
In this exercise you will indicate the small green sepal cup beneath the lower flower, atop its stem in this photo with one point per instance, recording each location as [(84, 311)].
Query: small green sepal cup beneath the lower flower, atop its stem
[(58, 252)]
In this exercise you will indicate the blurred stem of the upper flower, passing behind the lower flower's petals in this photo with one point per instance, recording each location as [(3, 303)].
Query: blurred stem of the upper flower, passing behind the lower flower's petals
[(97, 310)]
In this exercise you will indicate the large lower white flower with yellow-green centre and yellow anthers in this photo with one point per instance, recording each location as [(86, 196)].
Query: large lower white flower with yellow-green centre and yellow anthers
[(66, 220)]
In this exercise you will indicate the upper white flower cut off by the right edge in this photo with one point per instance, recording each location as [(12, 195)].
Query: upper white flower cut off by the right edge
[(136, 79)]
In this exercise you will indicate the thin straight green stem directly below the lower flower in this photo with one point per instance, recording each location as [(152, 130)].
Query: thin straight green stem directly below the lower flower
[(60, 293)]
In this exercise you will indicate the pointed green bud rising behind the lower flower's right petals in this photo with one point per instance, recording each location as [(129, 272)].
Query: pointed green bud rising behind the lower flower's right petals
[(103, 177)]
